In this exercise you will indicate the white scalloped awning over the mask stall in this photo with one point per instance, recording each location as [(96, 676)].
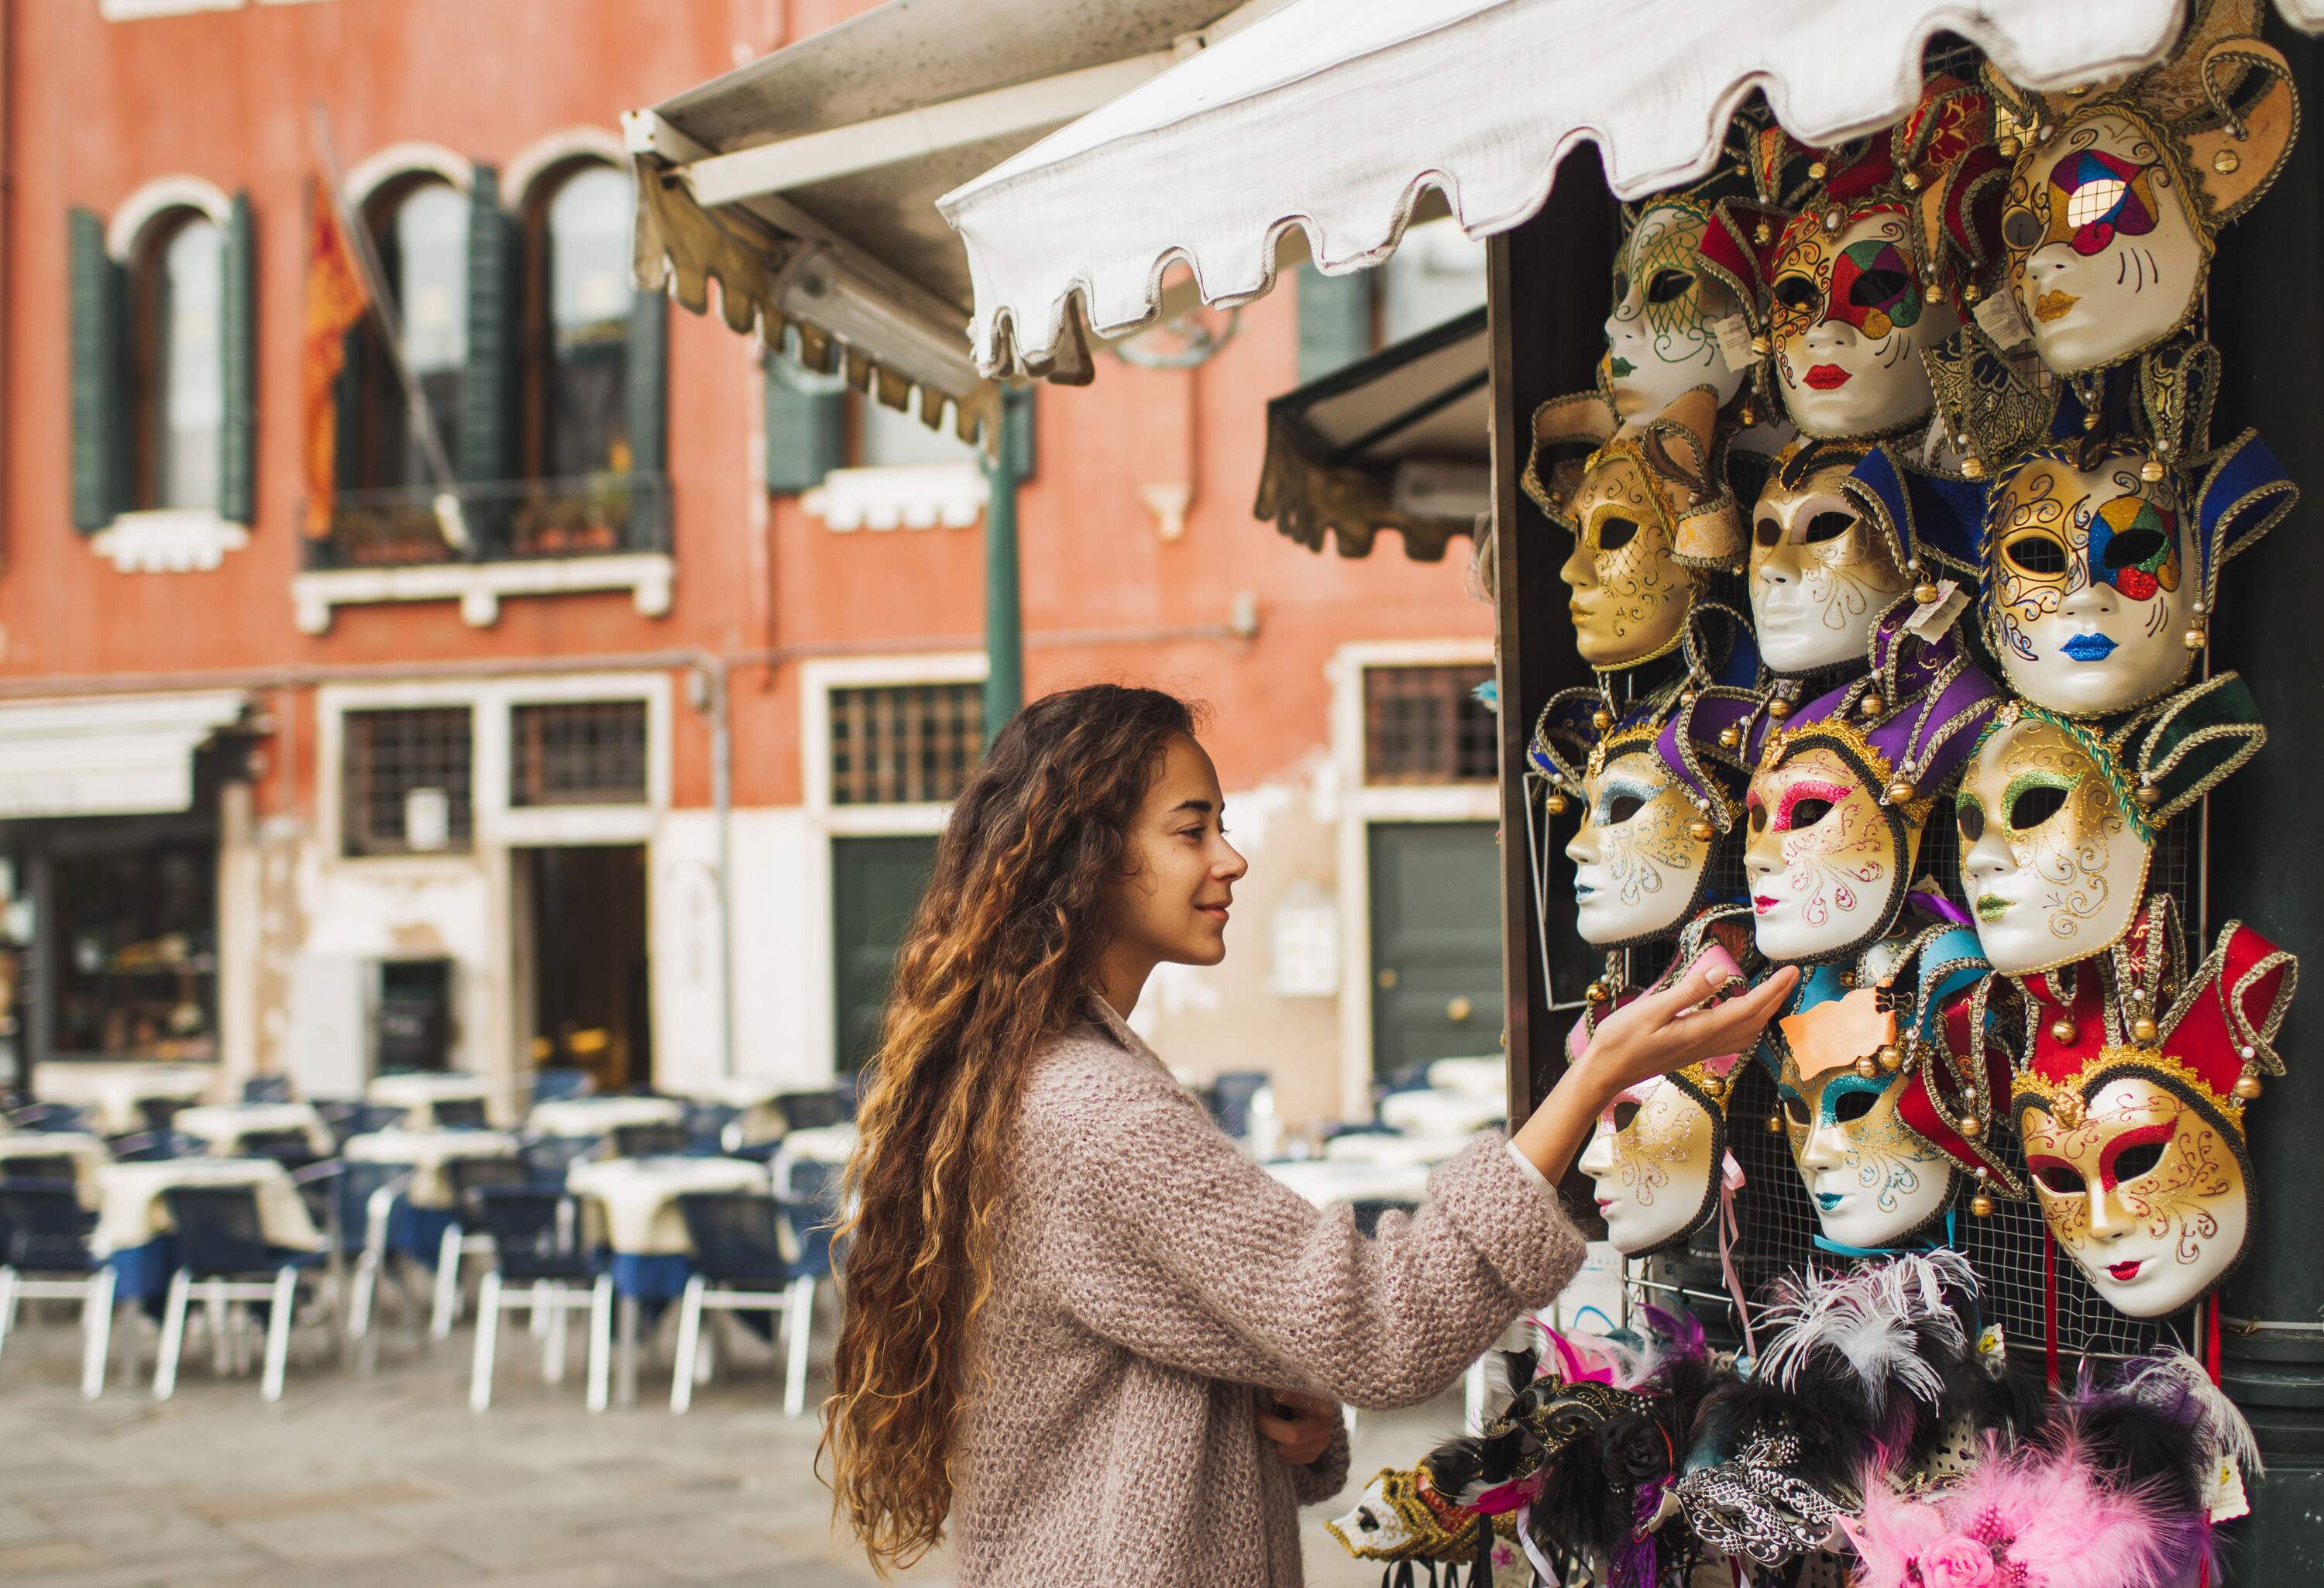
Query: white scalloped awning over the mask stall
[(1333, 120)]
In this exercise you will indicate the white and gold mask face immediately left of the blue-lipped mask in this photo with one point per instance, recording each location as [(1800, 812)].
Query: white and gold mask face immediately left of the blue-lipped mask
[(1821, 573)]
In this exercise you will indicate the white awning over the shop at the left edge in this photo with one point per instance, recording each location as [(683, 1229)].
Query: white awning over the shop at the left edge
[(124, 757)]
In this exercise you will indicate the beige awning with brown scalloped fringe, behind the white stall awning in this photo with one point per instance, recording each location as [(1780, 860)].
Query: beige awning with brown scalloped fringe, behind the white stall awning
[(805, 183)]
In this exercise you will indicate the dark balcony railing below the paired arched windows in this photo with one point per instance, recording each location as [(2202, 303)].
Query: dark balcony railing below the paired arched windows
[(505, 520)]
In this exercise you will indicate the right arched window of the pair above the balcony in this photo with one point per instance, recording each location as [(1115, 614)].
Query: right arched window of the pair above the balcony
[(578, 380)]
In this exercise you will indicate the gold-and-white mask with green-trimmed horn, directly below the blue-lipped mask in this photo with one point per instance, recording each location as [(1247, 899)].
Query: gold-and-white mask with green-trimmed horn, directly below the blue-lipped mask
[(2058, 822)]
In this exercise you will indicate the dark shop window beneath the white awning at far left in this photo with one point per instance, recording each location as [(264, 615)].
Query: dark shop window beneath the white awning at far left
[(138, 938)]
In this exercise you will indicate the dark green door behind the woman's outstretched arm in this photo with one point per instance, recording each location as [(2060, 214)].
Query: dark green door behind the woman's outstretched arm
[(1435, 943)]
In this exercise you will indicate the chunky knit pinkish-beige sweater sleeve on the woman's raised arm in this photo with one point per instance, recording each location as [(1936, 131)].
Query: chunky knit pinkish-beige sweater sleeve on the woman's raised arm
[(1165, 1240)]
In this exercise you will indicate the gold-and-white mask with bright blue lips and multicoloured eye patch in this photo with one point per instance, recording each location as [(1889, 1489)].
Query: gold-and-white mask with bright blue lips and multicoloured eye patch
[(2104, 568)]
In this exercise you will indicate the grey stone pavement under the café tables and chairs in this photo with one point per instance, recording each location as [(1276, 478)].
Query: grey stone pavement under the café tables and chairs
[(389, 1480)]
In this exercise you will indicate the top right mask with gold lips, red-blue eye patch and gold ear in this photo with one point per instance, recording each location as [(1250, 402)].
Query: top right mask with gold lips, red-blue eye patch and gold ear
[(2116, 199)]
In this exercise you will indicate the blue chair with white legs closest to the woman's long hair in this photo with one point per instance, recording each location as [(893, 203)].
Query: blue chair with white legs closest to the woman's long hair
[(740, 1266)]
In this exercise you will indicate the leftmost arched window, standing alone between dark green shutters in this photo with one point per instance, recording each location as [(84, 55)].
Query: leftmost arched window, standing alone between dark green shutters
[(178, 369)]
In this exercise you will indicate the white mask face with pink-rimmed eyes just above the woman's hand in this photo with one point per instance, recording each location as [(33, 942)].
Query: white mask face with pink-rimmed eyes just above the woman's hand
[(1826, 864)]
